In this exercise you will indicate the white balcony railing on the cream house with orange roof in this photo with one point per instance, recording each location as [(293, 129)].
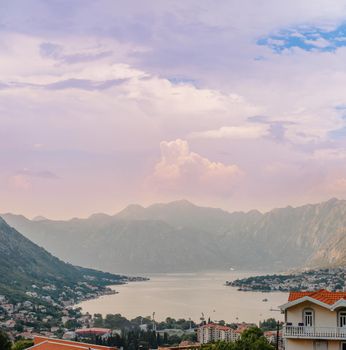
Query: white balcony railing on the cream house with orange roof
[(314, 332)]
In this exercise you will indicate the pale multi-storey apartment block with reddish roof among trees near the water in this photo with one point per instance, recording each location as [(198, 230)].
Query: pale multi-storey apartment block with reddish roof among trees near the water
[(213, 332)]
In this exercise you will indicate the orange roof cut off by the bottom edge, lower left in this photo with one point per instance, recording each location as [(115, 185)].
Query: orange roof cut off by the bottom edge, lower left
[(43, 343)]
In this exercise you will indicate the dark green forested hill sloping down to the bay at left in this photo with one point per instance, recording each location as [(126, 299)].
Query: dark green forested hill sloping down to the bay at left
[(23, 265)]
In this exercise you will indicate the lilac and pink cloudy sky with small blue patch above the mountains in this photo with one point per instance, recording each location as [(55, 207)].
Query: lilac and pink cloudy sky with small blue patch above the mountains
[(231, 104)]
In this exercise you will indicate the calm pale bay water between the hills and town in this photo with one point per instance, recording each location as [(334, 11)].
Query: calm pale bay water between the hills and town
[(187, 295)]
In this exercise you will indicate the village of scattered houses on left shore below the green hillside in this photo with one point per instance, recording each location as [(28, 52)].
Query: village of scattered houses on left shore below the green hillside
[(50, 311)]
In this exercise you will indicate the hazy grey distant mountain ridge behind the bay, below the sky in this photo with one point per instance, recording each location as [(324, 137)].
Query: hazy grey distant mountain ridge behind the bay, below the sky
[(181, 236)]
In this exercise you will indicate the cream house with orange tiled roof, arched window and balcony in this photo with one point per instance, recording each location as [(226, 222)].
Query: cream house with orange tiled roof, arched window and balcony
[(315, 320)]
